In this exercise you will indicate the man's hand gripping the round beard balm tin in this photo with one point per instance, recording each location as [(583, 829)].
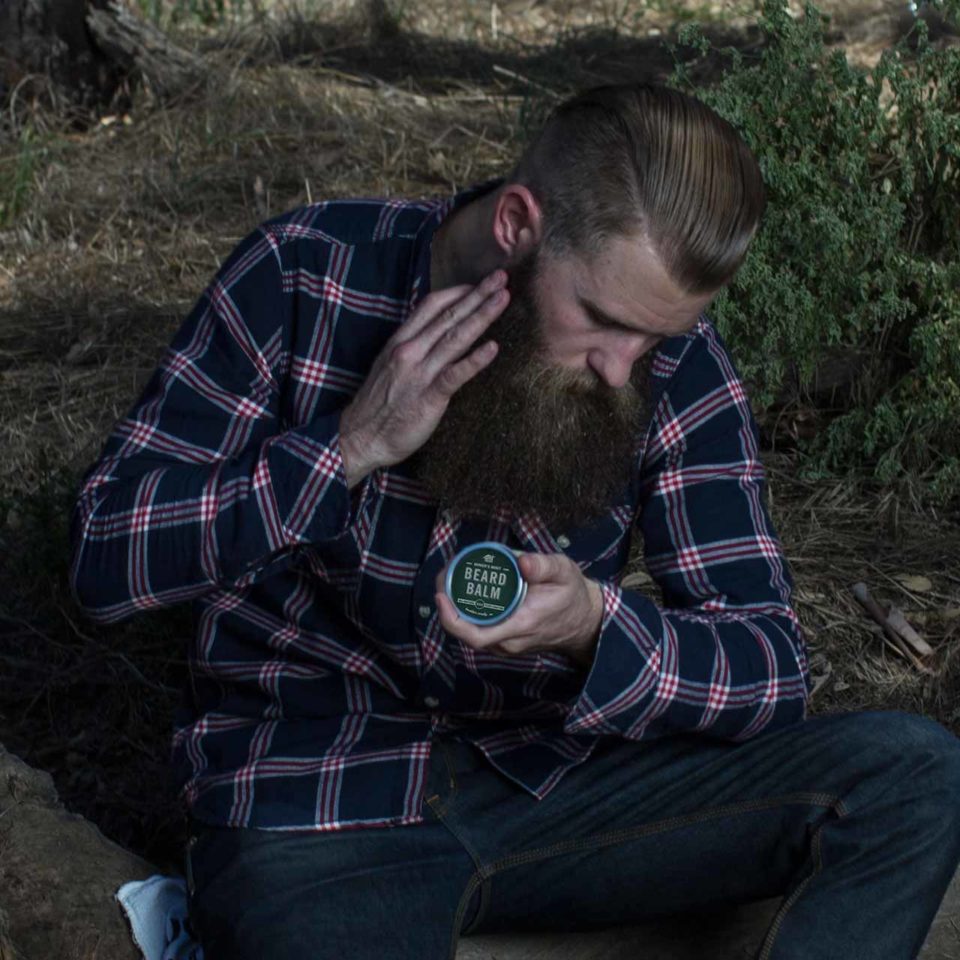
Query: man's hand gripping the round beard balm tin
[(561, 612)]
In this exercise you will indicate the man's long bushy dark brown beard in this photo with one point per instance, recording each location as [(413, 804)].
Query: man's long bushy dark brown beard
[(527, 435)]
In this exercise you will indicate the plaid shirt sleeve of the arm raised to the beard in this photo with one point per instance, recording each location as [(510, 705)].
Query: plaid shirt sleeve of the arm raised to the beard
[(201, 486)]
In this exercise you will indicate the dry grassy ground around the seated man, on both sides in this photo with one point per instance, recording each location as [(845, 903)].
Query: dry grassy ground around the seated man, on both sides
[(121, 224)]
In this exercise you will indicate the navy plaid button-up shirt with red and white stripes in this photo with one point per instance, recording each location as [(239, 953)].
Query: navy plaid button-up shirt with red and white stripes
[(319, 671)]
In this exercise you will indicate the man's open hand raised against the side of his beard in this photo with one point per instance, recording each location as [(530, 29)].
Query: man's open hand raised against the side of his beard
[(417, 372)]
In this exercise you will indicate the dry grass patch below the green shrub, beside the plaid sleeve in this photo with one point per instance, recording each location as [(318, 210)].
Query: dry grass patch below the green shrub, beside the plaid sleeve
[(834, 536)]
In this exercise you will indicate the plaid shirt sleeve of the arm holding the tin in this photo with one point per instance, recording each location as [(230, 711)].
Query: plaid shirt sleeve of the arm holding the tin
[(723, 654)]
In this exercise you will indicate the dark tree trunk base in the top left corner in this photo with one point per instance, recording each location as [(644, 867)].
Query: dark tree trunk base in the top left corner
[(50, 38)]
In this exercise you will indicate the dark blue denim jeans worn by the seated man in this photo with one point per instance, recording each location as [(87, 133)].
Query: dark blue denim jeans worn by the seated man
[(853, 818)]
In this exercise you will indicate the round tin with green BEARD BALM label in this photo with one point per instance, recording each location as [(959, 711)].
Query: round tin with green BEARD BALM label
[(484, 583)]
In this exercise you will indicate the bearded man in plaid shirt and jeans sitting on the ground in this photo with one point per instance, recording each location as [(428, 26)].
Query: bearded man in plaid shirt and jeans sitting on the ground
[(369, 386)]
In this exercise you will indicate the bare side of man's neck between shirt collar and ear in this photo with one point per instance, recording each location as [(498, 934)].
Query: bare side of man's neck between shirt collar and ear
[(461, 250)]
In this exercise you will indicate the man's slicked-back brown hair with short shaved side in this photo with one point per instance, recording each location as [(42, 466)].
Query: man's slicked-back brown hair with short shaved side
[(648, 161)]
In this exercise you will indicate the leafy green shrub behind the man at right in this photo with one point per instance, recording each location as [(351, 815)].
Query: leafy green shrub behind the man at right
[(858, 258)]
